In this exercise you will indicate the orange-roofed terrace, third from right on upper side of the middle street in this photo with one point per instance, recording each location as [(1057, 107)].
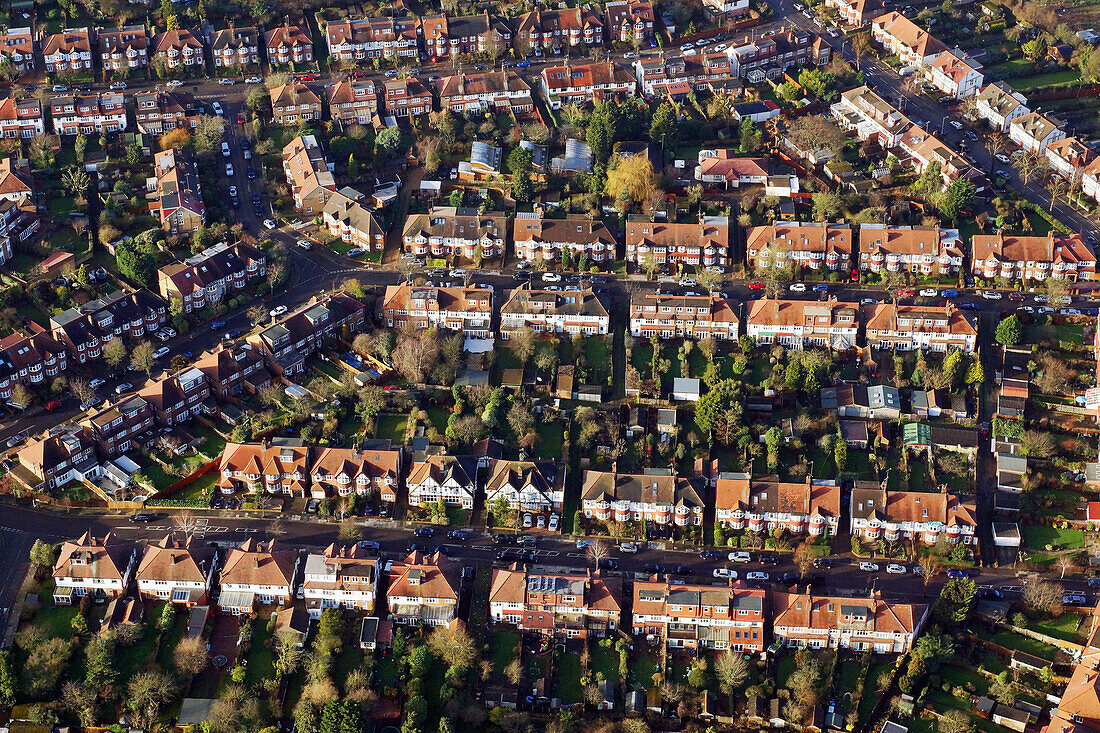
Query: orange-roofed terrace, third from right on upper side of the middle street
[(815, 246)]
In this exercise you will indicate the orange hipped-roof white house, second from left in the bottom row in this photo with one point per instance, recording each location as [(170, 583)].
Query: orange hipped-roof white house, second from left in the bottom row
[(181, 573)]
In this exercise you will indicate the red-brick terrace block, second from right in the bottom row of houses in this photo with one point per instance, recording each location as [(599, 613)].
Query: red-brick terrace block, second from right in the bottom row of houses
[(699, 617)]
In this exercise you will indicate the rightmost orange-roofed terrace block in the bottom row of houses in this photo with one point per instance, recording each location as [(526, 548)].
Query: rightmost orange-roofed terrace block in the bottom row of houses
[(861, 625)]
